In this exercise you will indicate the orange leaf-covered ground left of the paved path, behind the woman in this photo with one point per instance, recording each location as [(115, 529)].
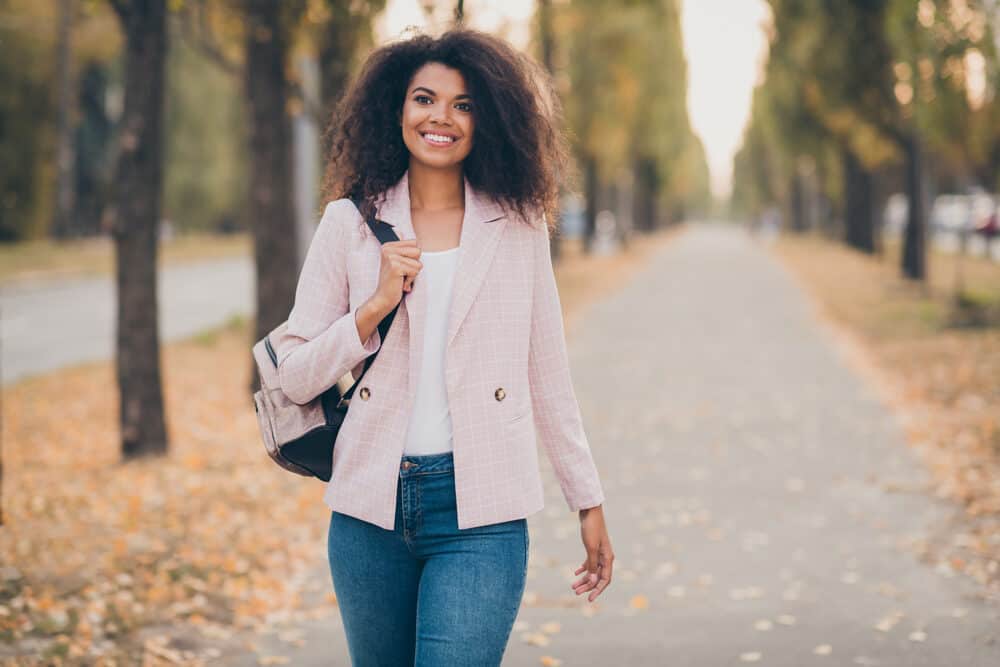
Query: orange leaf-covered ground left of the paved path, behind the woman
[(100, 561)]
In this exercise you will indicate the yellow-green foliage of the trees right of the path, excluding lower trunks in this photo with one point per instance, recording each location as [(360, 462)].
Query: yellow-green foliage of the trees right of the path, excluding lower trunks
[(865, 76)]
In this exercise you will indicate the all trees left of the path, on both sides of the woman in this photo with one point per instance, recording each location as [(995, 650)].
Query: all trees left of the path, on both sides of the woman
[(183, 108)]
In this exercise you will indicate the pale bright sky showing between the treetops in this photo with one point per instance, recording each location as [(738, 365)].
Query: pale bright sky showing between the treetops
[(724, 42)]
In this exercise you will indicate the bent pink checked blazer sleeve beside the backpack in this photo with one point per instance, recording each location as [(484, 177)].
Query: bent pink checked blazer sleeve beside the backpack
[(321, 342)]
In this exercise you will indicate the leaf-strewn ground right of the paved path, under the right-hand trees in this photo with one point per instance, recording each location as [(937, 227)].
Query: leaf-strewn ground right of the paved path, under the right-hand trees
[(940, 375)]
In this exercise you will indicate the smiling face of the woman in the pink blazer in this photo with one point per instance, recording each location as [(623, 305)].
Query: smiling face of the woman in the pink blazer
[(437, 117)]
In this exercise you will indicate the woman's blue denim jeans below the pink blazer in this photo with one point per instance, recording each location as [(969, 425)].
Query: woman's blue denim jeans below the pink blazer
[(427, 593)]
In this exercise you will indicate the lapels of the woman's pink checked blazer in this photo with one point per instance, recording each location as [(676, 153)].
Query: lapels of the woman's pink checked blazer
[(482, 226)]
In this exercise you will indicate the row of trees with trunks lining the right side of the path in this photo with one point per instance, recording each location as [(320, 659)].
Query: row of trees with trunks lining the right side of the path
[(862, 97)]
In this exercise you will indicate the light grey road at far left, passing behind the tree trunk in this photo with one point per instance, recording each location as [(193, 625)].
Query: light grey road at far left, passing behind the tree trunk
[(46, 326)]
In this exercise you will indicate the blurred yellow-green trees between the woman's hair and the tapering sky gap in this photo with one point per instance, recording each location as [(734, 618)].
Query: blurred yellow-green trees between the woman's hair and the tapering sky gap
[(623, 77)]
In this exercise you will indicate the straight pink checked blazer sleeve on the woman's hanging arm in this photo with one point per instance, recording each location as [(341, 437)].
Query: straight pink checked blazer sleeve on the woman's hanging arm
[(556, 411)]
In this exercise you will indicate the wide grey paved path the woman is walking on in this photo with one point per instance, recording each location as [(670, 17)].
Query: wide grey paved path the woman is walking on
[(747, 474)]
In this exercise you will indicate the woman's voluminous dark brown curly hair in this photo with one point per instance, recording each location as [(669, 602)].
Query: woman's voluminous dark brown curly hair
[(518, 150)]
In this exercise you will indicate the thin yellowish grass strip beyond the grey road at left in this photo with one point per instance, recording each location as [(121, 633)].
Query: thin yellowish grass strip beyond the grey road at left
[(48, 259)]
